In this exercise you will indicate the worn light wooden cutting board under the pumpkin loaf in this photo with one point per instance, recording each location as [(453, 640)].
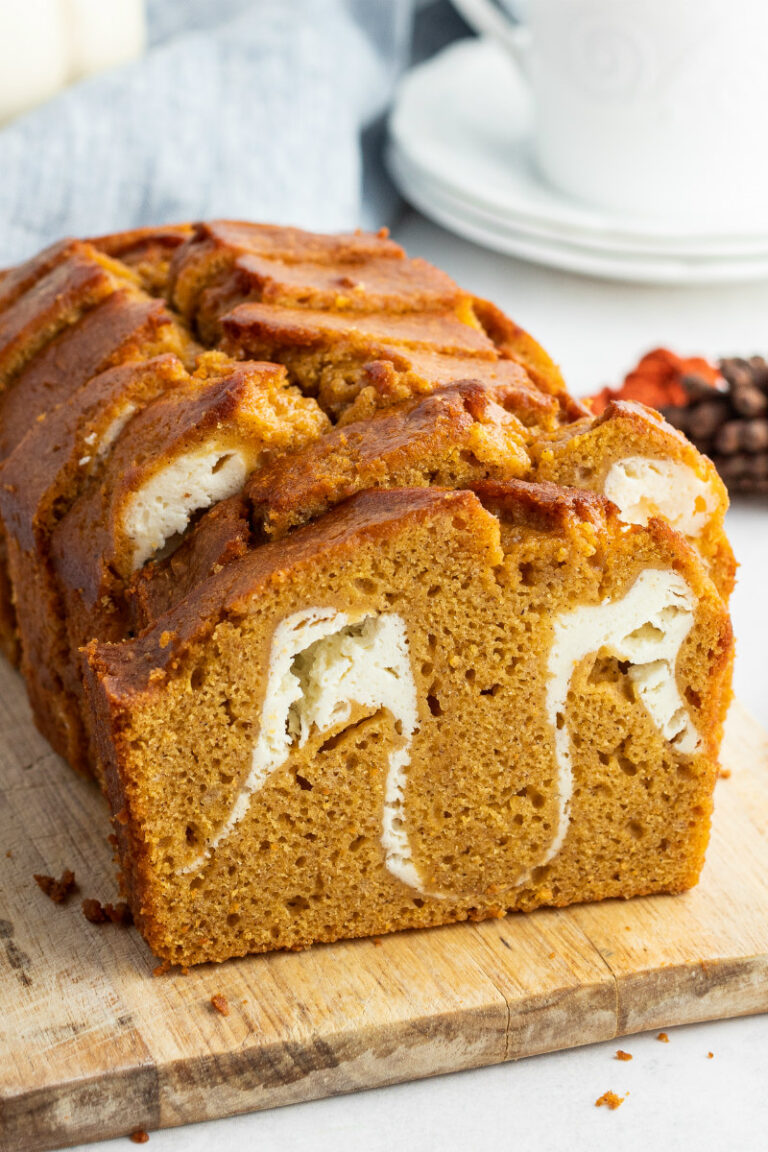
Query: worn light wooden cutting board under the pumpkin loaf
[(93, 1045)]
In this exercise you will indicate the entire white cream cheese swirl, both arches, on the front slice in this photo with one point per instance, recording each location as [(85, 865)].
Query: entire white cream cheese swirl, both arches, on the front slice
[(323, 662)]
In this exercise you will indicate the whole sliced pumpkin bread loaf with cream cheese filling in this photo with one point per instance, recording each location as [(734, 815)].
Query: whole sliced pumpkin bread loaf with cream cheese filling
[(360, 619)]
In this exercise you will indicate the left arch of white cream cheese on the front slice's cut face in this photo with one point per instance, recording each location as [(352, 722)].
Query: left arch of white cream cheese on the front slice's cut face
[(322, 663)]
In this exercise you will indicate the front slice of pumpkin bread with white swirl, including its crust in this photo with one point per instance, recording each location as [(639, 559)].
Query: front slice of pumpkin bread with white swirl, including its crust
[(416, 711)]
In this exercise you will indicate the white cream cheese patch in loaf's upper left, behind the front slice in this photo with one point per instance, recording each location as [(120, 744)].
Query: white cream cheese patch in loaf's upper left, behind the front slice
[(162, 509)]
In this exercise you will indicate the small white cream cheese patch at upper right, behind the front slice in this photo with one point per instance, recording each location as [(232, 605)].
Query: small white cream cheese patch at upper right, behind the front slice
[(642, 488)]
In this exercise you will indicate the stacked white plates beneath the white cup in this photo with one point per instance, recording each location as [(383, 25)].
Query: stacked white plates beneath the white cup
[(460, 150)]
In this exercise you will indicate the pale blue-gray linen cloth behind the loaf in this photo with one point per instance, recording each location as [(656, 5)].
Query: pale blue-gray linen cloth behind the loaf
[(246, 109)]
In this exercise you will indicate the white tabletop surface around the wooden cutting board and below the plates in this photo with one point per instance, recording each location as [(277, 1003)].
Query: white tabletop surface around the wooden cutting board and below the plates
[(546, 1104)]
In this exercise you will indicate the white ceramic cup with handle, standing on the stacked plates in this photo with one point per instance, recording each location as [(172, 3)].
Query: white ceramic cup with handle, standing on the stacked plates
[(652, 108)]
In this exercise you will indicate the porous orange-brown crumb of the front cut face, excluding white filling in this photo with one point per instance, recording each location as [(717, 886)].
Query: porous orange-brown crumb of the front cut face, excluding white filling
[(307, 862)]
